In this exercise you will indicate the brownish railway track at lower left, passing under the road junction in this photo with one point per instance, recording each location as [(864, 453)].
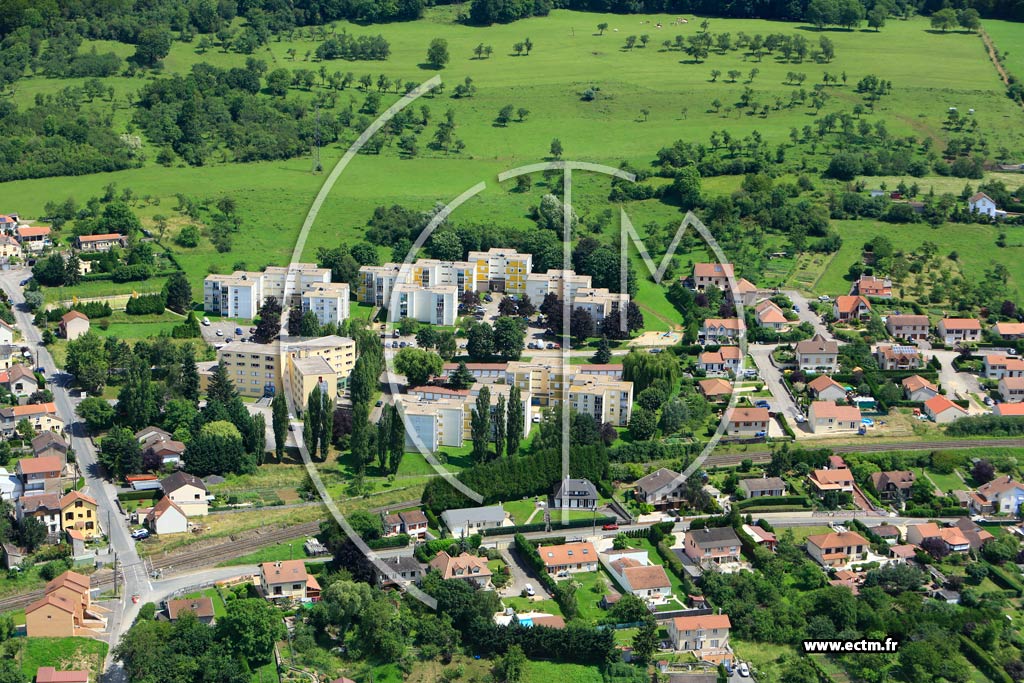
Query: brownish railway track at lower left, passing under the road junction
[(179, 563)]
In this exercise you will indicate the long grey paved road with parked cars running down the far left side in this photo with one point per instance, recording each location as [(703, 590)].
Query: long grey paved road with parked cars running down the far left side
[(112, 523)]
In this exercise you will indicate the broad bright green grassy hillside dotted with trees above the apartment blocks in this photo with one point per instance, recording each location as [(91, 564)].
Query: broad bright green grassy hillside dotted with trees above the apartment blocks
[(568, 59)]
